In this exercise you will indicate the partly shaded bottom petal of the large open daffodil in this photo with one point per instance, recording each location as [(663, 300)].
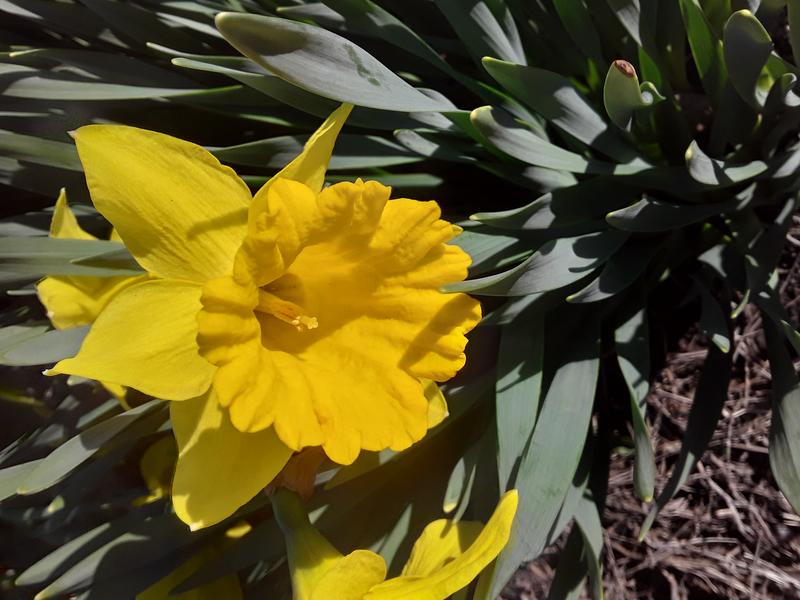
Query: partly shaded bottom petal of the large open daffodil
[(219, 468)]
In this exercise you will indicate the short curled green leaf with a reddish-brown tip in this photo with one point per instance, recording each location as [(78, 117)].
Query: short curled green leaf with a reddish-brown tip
[(622, 94)]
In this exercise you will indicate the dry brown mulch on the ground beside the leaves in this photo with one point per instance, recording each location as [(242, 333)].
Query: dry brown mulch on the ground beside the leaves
[(729, 532)]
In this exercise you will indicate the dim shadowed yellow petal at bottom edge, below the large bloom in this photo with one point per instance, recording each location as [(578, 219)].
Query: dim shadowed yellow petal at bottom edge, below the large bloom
[(224, 588)]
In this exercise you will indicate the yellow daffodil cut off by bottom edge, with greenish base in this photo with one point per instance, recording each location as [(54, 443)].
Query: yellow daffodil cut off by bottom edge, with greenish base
[(444, 559)]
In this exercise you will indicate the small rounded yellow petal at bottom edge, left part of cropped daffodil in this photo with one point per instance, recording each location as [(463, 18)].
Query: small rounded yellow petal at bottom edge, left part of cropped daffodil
[(351, 577)]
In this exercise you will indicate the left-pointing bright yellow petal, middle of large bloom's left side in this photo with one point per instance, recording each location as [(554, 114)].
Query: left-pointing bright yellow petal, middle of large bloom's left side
[(145, 339)]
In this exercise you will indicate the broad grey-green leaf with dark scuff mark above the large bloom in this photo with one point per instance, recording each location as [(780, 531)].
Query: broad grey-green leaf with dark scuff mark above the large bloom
[(323, 63)]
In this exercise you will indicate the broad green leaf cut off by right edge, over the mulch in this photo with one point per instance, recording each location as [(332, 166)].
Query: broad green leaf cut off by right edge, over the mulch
[(784, 434)]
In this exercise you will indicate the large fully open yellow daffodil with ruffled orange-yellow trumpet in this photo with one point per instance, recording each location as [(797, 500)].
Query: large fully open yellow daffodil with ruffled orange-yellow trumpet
[(299, 317)]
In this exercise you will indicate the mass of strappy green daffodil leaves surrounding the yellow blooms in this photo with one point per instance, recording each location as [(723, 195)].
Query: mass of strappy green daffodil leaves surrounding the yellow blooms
[(628, 166)]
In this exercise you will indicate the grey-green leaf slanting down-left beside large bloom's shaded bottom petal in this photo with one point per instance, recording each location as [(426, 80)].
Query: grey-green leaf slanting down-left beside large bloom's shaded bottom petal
[(74, 452)]
